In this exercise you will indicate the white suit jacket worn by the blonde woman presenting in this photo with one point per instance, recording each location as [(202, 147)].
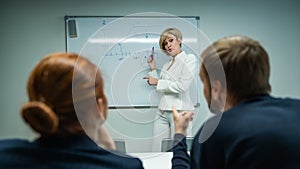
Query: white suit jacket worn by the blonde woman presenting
[(174, 84)]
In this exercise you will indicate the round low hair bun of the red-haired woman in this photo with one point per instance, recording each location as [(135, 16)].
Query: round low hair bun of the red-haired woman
[(40, 117)]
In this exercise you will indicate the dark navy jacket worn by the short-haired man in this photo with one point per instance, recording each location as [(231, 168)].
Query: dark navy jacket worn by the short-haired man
[(260, 133)]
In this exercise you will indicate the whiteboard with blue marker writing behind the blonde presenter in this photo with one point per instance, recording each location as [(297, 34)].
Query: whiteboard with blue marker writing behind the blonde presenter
[(120, 46)]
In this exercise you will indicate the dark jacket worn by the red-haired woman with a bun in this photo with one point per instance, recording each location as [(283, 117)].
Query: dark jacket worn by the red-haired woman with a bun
[(70, 152)]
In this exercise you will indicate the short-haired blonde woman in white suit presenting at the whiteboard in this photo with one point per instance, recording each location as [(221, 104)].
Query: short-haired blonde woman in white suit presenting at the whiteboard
[(173, 83)]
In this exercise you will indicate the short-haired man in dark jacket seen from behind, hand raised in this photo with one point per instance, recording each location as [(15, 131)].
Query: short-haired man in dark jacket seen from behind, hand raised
[(251, 129)]
